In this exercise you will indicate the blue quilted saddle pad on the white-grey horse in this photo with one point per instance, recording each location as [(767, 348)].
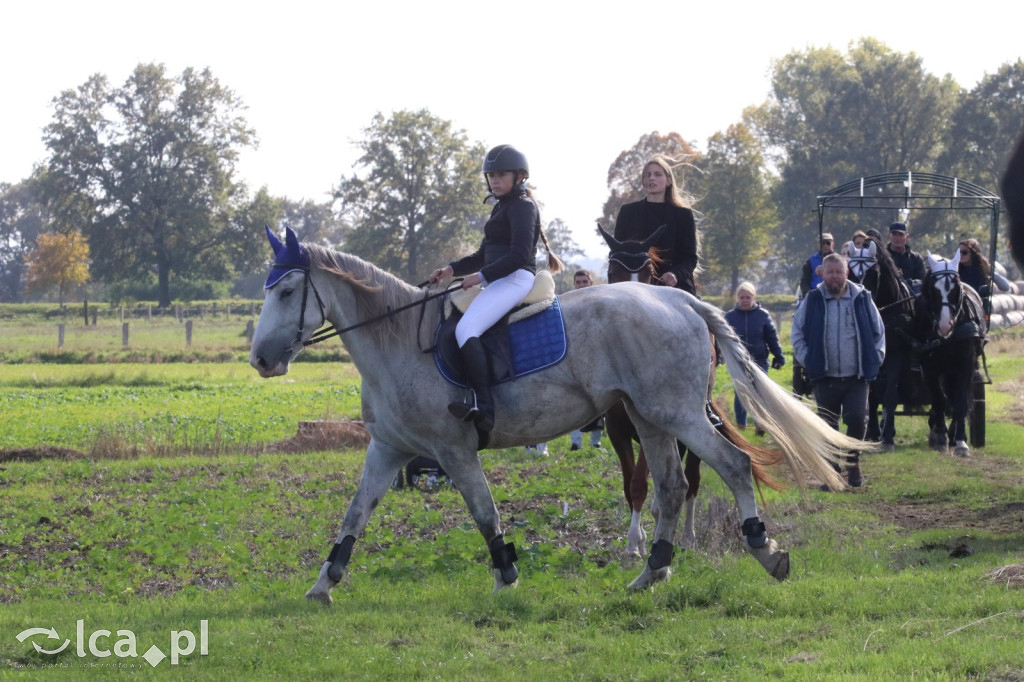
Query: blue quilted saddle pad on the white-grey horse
[(537, 344)]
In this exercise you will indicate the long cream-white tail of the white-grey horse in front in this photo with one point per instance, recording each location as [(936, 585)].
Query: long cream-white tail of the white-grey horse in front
[(808, 444)]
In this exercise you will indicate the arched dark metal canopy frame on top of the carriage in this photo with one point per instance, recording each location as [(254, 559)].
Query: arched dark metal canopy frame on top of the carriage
[(910, 191)]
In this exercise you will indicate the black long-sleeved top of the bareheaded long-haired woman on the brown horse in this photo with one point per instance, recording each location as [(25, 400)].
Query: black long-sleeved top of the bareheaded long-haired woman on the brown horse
[(678, 244)]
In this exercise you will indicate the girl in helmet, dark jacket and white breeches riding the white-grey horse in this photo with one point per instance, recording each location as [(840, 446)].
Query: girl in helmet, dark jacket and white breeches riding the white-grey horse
[(503, 266)]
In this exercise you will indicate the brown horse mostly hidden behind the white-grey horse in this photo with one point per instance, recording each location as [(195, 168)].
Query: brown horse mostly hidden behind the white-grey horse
[(637, 262)]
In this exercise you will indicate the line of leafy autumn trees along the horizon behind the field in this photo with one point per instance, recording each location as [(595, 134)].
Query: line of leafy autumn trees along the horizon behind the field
[(140, 194)]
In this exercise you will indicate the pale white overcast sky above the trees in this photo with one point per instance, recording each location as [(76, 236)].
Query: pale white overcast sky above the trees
[(572, 84)]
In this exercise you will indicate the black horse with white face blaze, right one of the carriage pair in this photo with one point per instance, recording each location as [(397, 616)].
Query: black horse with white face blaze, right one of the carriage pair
[(950, 328)]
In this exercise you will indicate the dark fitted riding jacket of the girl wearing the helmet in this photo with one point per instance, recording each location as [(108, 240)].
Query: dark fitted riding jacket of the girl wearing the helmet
[(510, 238)]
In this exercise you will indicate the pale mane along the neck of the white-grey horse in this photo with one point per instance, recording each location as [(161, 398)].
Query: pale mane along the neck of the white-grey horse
[(377, 292)]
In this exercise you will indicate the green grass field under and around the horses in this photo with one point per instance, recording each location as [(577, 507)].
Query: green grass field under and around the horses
[(194, 524)]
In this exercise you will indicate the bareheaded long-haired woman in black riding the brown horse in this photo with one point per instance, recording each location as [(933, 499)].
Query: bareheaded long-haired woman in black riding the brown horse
[(677, 247)]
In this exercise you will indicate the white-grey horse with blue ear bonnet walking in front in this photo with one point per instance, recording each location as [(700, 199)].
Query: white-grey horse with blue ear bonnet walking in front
[(661, 371)]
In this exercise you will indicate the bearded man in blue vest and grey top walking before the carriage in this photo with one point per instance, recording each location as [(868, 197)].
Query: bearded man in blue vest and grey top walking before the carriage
[(839, 338)]
